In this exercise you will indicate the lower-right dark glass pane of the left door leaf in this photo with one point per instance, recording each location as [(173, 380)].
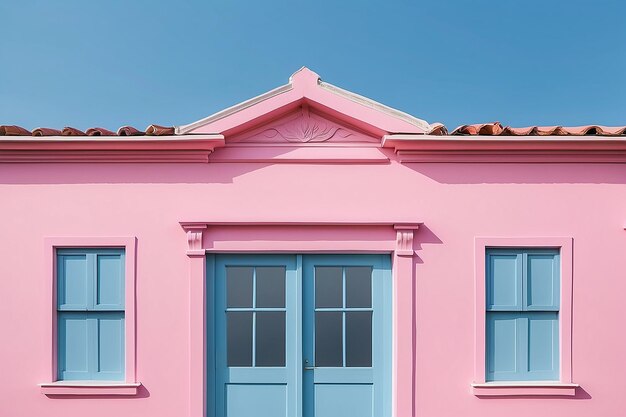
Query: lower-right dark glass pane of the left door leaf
[(270, 338)]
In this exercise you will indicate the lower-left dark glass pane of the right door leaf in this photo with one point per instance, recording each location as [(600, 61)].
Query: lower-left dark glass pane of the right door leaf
[(328, 344)]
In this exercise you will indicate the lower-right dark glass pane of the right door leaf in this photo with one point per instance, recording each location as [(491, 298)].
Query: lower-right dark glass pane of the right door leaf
[(359, 338)]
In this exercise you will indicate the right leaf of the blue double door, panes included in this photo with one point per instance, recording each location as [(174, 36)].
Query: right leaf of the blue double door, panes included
[(346, 335)]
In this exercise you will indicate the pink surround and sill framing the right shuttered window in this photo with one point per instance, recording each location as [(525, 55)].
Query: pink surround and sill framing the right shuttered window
[(563, 387)]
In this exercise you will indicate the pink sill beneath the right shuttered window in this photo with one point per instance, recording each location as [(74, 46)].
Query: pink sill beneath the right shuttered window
[(530, 388)]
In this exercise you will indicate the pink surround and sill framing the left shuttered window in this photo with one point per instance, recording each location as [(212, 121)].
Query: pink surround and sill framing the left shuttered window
[(53, 387)]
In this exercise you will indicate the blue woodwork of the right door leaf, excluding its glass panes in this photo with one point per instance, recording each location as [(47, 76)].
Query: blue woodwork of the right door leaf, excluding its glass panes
[(343, 390)]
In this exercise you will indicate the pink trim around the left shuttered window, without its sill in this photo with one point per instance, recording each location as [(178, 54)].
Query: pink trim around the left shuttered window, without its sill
[(129, 243)]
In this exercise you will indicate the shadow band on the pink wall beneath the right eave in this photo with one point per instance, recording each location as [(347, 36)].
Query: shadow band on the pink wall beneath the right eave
[(517, 173)]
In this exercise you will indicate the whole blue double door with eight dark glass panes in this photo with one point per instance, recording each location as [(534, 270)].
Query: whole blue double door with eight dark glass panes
[(299, 336)]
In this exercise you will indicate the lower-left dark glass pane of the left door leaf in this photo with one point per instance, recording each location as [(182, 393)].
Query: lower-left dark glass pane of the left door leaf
[(239, 338)]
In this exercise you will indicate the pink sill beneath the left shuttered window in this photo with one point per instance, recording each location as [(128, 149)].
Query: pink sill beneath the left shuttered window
[(89, 388)]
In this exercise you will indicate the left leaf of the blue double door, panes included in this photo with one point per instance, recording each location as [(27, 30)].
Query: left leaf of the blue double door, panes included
[(257, 335)]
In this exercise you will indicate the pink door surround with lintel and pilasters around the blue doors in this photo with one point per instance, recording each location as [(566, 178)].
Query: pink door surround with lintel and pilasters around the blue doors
[(306, 237)]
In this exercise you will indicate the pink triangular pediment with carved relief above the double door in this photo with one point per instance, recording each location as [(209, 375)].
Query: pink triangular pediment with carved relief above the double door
[(307, 110)]
